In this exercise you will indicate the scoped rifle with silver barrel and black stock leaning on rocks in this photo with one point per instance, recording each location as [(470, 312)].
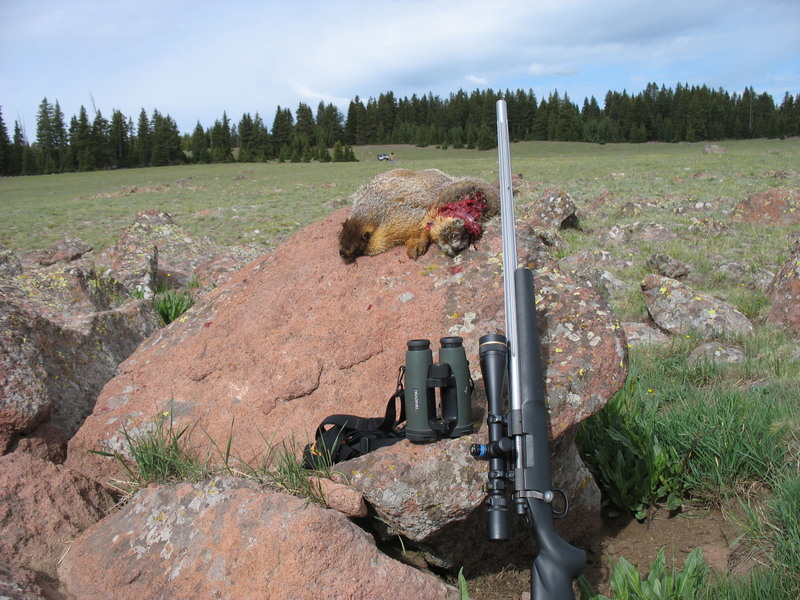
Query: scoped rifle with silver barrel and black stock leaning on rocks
[(518, 448)]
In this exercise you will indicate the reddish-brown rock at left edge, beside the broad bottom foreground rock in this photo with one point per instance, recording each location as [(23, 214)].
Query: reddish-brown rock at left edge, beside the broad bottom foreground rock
[(43, 507)]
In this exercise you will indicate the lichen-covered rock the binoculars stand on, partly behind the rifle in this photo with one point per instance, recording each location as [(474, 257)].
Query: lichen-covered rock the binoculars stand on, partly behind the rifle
[(420, 491)]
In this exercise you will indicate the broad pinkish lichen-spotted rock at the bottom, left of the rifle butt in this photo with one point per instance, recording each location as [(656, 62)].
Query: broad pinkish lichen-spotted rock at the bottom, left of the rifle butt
[(231, 538)]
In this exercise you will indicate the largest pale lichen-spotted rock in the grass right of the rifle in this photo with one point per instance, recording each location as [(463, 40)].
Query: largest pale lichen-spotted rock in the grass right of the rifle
[(679, 309)]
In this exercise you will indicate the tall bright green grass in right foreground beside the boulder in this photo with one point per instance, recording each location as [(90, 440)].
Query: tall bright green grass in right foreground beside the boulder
[(713, 433)]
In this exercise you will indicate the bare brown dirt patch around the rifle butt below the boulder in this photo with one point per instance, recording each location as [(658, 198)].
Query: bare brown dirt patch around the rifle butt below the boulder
[(711, 529)]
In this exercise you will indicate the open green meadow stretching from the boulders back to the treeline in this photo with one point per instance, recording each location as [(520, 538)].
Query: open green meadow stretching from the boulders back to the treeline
[(261, 203)]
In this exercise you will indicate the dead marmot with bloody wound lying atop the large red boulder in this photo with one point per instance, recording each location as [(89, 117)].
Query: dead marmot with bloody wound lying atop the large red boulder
[(415, 209)]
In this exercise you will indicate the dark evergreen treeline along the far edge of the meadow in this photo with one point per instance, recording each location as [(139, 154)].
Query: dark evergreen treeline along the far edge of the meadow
[(463, 120)]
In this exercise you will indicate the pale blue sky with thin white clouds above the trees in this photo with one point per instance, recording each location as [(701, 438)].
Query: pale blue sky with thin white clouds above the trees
[(194, 60)]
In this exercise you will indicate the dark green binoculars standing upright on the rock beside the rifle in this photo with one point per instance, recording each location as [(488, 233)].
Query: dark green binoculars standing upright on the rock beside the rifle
[(451, 376)]
